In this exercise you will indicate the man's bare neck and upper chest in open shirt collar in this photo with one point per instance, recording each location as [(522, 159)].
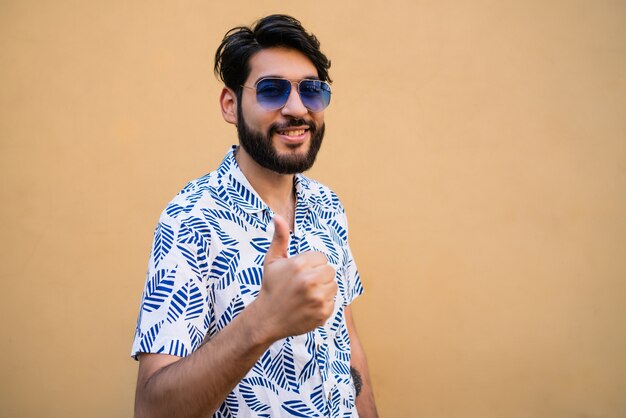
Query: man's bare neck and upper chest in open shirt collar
[(274, 188)]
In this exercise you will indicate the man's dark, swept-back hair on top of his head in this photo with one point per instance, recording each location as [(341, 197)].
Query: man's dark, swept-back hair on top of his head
[(232, 58)]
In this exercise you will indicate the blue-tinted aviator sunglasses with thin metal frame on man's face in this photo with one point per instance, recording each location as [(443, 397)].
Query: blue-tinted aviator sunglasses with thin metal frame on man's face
[(273, 93)]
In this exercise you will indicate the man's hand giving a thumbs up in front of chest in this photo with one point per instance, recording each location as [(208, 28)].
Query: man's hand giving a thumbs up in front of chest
[(297, 293)]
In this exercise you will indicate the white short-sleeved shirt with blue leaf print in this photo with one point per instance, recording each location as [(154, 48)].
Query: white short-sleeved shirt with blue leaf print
[(206, 266)]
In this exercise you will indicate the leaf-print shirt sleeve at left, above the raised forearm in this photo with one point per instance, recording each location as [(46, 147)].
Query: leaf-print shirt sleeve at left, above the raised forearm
[(174, 315)]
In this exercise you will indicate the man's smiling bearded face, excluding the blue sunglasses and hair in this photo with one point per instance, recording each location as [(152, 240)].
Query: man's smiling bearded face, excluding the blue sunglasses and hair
[(285, 140)]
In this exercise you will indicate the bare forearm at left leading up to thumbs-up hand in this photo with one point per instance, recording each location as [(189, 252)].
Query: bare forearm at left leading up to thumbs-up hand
[(198, 384)]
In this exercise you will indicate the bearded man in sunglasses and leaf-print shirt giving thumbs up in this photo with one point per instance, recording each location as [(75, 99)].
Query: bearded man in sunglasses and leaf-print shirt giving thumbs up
[(246, 307)]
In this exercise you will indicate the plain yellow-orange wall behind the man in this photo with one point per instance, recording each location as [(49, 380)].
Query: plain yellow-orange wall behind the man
[(478, 146)]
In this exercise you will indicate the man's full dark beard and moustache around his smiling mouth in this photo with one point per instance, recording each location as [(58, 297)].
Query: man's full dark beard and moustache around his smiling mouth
[(259, 146)]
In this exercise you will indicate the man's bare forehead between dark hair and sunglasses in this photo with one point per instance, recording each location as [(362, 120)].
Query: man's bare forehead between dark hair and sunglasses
[(280, 62)]
